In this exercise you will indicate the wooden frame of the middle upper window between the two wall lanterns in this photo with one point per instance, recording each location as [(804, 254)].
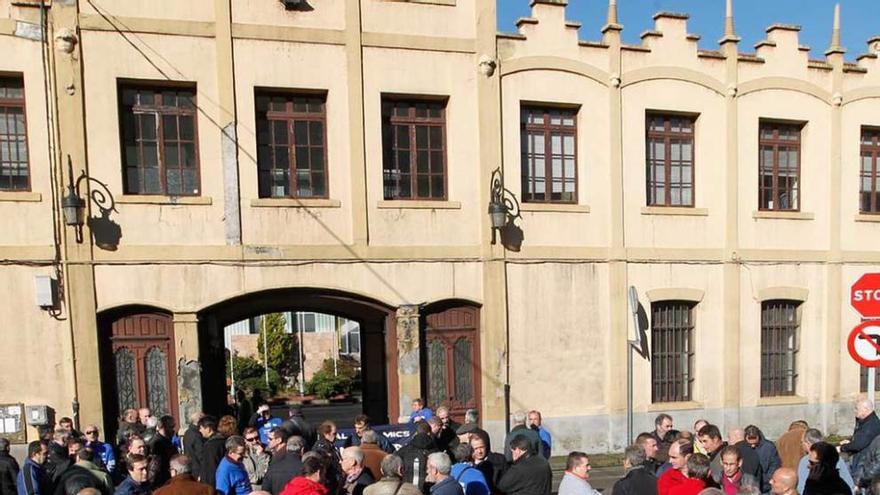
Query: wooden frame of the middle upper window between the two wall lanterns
[(292, 116)]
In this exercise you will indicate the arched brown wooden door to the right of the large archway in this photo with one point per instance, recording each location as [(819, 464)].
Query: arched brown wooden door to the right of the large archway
[(453, 360)]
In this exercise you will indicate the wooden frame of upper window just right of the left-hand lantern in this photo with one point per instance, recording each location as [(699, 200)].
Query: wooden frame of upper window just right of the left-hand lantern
[(160, 110)]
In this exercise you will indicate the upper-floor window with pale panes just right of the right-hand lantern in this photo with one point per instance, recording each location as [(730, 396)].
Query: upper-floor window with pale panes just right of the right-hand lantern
[(549, 154)]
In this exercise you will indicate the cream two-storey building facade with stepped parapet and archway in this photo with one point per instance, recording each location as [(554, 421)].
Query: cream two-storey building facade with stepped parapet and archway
[(337, 156)]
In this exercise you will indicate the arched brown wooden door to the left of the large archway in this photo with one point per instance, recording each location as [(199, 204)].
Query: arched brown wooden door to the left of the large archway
[(143, 363)]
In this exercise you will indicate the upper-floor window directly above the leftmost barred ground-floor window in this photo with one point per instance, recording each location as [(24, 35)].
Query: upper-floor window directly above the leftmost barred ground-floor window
[(670, 153)]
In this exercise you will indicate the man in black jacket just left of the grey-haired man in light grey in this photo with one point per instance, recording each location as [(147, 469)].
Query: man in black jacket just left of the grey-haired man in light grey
[(530, 473)]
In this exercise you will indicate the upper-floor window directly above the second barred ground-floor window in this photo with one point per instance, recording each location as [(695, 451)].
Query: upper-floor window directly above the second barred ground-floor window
[(779, 166)]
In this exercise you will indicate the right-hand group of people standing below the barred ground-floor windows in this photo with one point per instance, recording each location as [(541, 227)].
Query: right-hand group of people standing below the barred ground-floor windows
[(667, 461)]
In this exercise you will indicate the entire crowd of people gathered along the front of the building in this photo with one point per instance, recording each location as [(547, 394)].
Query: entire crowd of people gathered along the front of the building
[(271, 456)]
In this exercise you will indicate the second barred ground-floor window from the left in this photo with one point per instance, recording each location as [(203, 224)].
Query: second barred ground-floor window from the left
[(779, 347)]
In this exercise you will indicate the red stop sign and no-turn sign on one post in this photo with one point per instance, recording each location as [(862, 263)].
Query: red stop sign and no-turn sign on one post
[(864, 341)]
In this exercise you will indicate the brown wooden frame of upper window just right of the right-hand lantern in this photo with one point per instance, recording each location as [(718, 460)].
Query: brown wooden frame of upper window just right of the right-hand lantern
[(549, 130)]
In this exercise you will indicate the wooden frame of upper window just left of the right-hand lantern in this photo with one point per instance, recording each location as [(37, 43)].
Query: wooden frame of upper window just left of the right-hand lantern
[(389, 154)]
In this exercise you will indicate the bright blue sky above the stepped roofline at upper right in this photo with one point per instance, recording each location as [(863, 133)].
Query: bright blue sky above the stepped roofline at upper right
[(860, 19)]
